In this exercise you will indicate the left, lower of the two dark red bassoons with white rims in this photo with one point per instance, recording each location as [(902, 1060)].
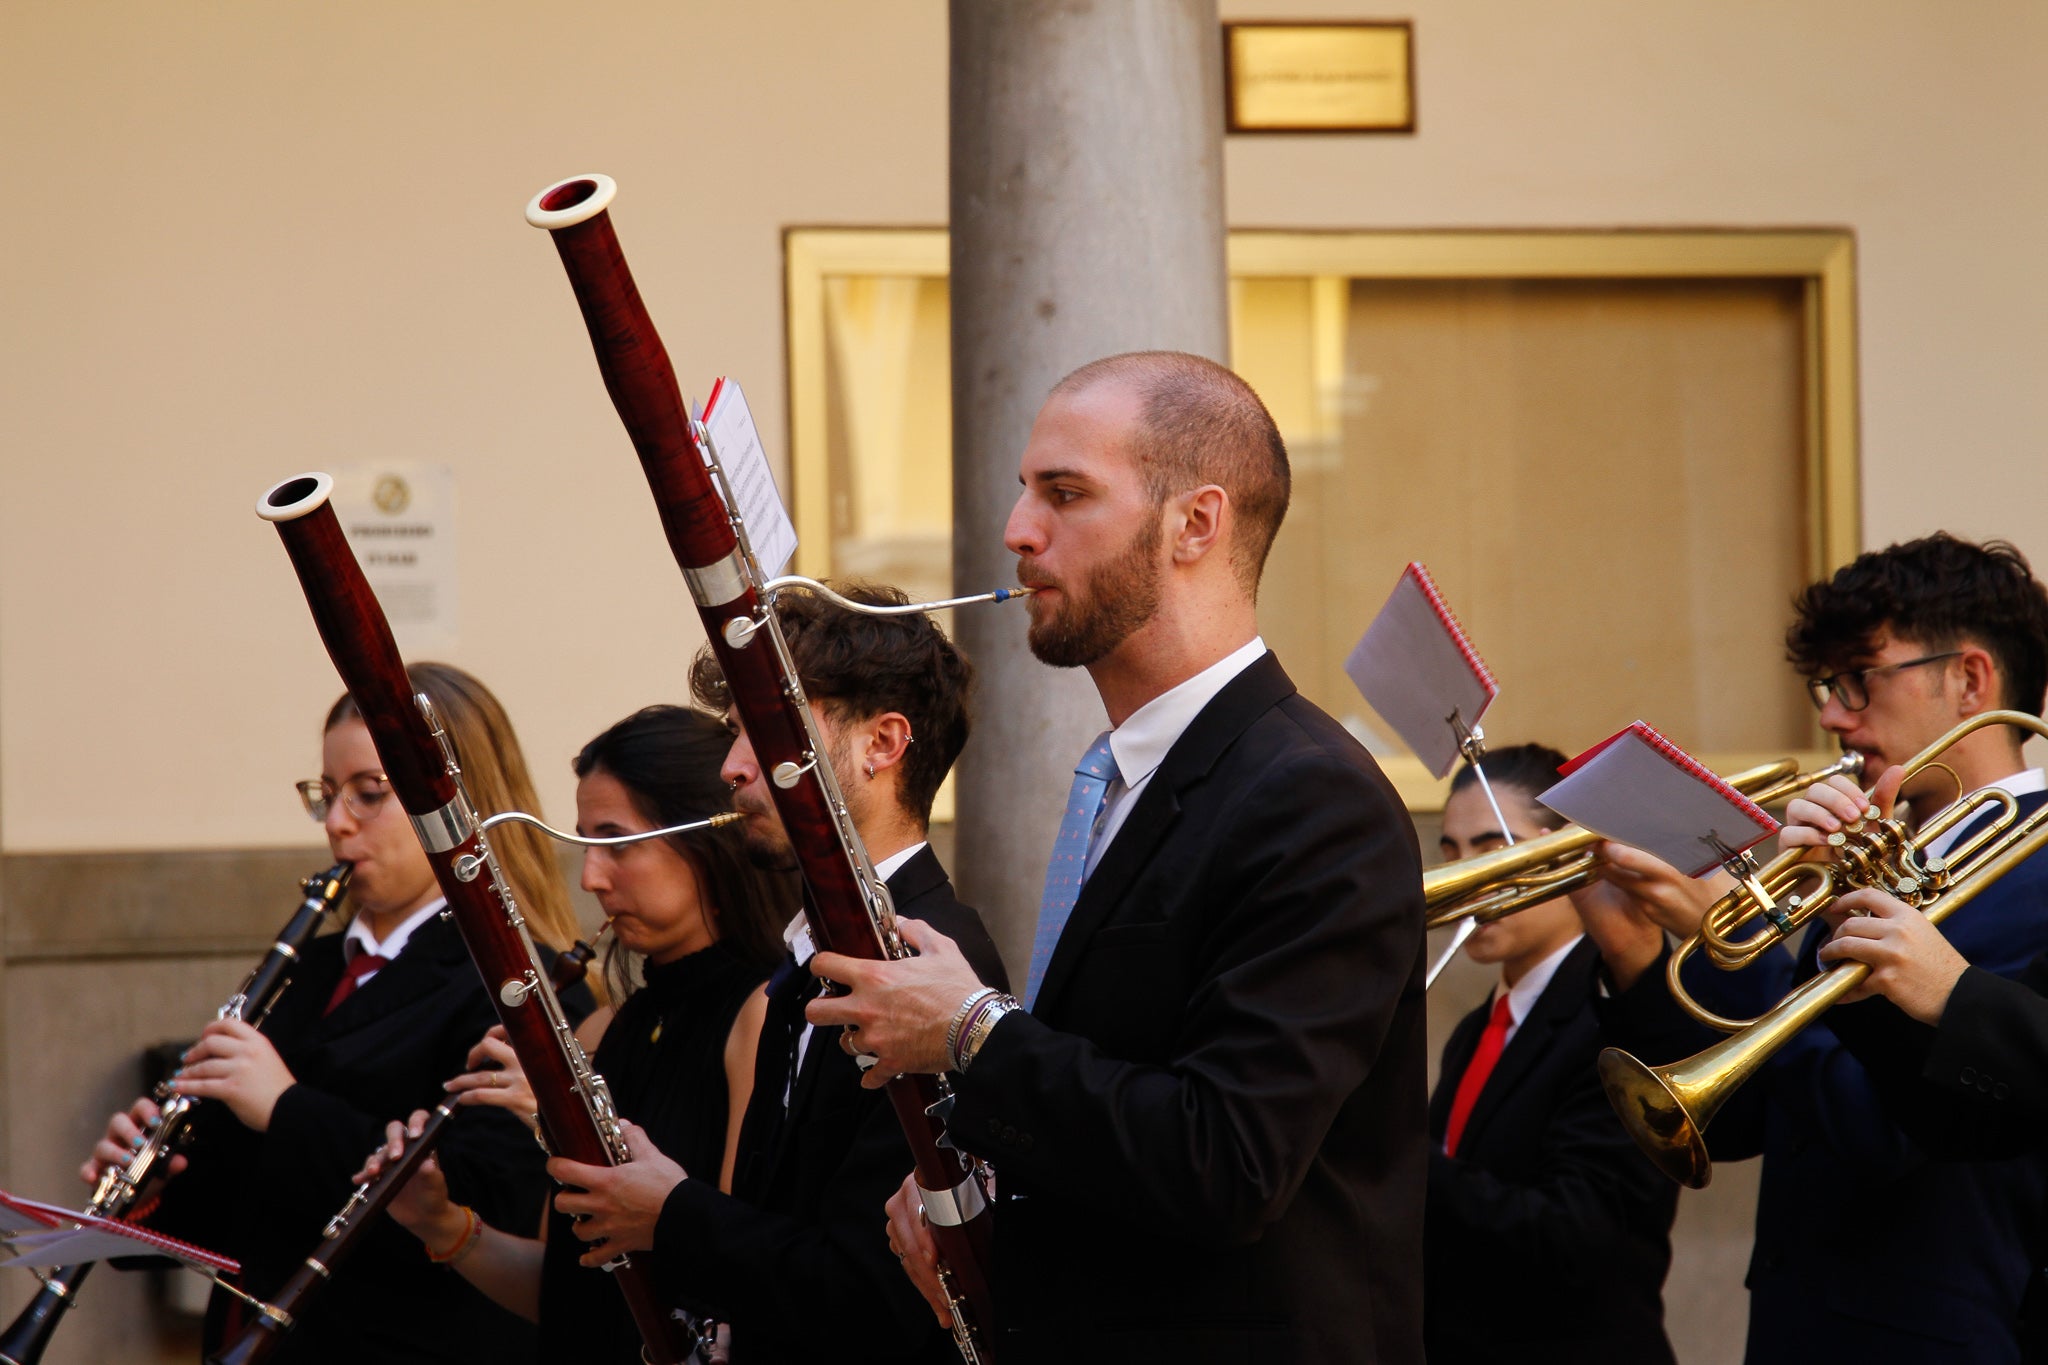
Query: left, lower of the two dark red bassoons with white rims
[(577, 1112)]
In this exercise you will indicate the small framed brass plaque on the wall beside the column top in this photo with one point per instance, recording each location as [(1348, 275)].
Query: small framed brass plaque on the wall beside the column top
[(1320, 77)]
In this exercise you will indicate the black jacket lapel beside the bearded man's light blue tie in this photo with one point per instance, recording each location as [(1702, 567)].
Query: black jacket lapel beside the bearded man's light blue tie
[(1207, 738)]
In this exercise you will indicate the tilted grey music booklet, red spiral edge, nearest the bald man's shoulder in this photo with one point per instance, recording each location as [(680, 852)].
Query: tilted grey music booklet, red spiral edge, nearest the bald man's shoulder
[(1416, 668)]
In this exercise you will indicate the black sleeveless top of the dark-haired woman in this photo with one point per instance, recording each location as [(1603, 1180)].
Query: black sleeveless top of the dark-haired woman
[(665, 1063)]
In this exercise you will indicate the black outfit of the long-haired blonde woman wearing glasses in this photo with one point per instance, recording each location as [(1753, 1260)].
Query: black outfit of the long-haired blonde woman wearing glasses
[(265, 1198)]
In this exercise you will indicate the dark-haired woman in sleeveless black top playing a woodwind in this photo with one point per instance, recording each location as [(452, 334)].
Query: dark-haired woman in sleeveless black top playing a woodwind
[(679, 1055)]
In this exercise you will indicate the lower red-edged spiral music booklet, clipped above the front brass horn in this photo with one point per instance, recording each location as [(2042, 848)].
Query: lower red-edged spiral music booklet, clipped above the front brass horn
[(1641, 789)]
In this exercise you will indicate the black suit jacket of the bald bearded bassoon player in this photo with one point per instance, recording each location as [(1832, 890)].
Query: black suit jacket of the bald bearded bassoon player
[(1209, 1131)]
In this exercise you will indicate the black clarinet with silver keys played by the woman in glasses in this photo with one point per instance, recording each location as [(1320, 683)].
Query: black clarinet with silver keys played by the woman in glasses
[(30, 1335)]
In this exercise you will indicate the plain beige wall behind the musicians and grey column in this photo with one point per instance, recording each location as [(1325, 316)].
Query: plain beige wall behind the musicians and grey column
[(247, 238)]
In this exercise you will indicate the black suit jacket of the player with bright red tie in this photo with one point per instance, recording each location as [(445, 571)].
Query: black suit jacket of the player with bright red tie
[(1549, 1233)]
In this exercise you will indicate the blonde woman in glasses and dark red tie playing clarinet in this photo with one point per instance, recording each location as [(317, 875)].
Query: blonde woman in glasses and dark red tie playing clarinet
[(374, 1026)]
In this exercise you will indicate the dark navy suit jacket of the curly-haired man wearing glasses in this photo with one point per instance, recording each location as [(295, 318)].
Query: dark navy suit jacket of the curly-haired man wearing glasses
[(1869, 1247)]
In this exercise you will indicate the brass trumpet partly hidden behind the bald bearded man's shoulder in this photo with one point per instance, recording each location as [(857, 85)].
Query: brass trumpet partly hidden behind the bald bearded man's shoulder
[(1514, 879)]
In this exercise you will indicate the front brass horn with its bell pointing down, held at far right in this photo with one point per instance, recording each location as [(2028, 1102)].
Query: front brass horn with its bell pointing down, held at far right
[(1668, 1108)]
